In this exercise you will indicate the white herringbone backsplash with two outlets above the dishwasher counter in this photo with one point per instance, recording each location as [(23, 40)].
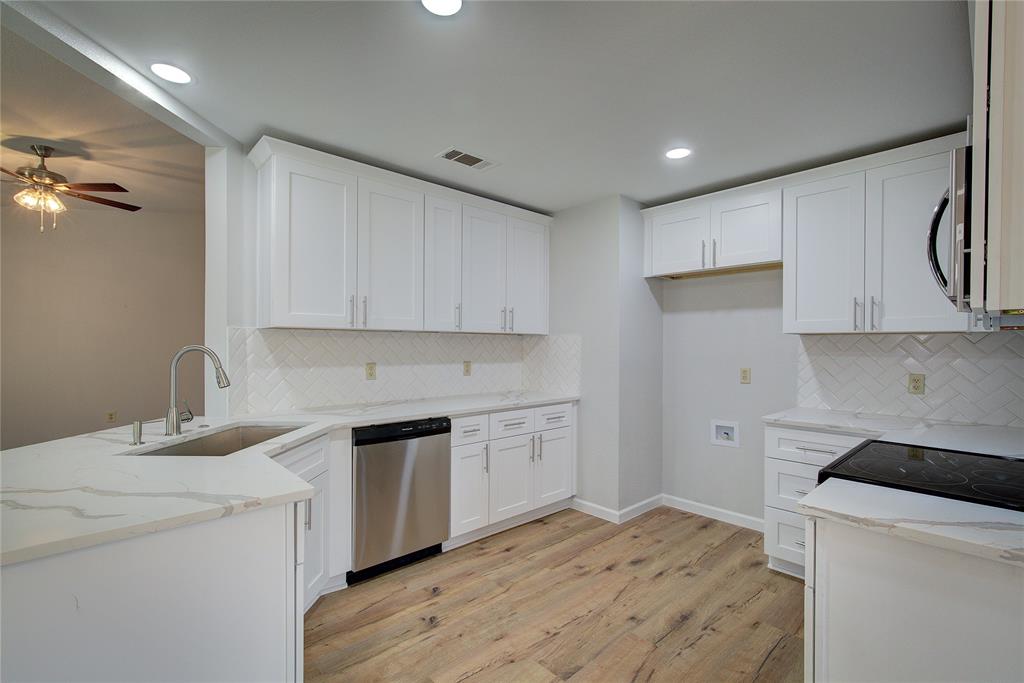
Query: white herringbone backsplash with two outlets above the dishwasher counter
[(285, 370)]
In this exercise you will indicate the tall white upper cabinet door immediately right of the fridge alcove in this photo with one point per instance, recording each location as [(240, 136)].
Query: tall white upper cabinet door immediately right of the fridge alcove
[(824, 238)]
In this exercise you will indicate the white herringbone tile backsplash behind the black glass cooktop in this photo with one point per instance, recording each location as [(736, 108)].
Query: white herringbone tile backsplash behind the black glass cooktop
[(976, 378)]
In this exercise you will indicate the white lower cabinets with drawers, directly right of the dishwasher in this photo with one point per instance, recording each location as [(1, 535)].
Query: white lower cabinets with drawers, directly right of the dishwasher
[(496, 480)]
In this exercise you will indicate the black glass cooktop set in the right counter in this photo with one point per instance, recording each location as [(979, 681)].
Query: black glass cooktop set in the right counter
[(974, 478)]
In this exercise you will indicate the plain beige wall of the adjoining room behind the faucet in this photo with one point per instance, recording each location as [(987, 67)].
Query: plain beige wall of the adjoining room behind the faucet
[(92, 315)]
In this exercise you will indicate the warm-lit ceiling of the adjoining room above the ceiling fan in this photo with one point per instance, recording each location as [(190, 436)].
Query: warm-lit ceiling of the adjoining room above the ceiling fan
[(98, 137)]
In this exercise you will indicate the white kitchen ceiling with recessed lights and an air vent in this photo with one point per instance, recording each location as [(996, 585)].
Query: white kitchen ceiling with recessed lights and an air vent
[(576, 101)]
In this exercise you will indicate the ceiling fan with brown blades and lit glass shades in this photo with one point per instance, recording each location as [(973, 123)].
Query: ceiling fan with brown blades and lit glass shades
[(45, 186)]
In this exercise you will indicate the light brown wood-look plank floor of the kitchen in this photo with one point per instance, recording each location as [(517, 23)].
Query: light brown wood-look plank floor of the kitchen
[(669, 596)]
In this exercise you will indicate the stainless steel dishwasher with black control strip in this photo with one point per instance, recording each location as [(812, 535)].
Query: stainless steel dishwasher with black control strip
[(402, 494)]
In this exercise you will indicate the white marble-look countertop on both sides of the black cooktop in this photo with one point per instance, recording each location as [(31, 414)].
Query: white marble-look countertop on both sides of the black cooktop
[(969, 528)]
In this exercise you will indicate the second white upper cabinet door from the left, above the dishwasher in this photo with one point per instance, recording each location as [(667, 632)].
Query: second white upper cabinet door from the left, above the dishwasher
[(391, 258)]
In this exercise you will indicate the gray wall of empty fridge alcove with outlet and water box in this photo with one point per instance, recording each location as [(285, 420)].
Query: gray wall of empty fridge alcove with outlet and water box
[(713, 327)]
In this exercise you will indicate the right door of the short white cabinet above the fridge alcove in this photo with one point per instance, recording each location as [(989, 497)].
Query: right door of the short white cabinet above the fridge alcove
[(746, 229)]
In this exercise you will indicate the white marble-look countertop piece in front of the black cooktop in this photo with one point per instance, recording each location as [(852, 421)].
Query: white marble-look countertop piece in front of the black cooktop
[(968, 528)]
